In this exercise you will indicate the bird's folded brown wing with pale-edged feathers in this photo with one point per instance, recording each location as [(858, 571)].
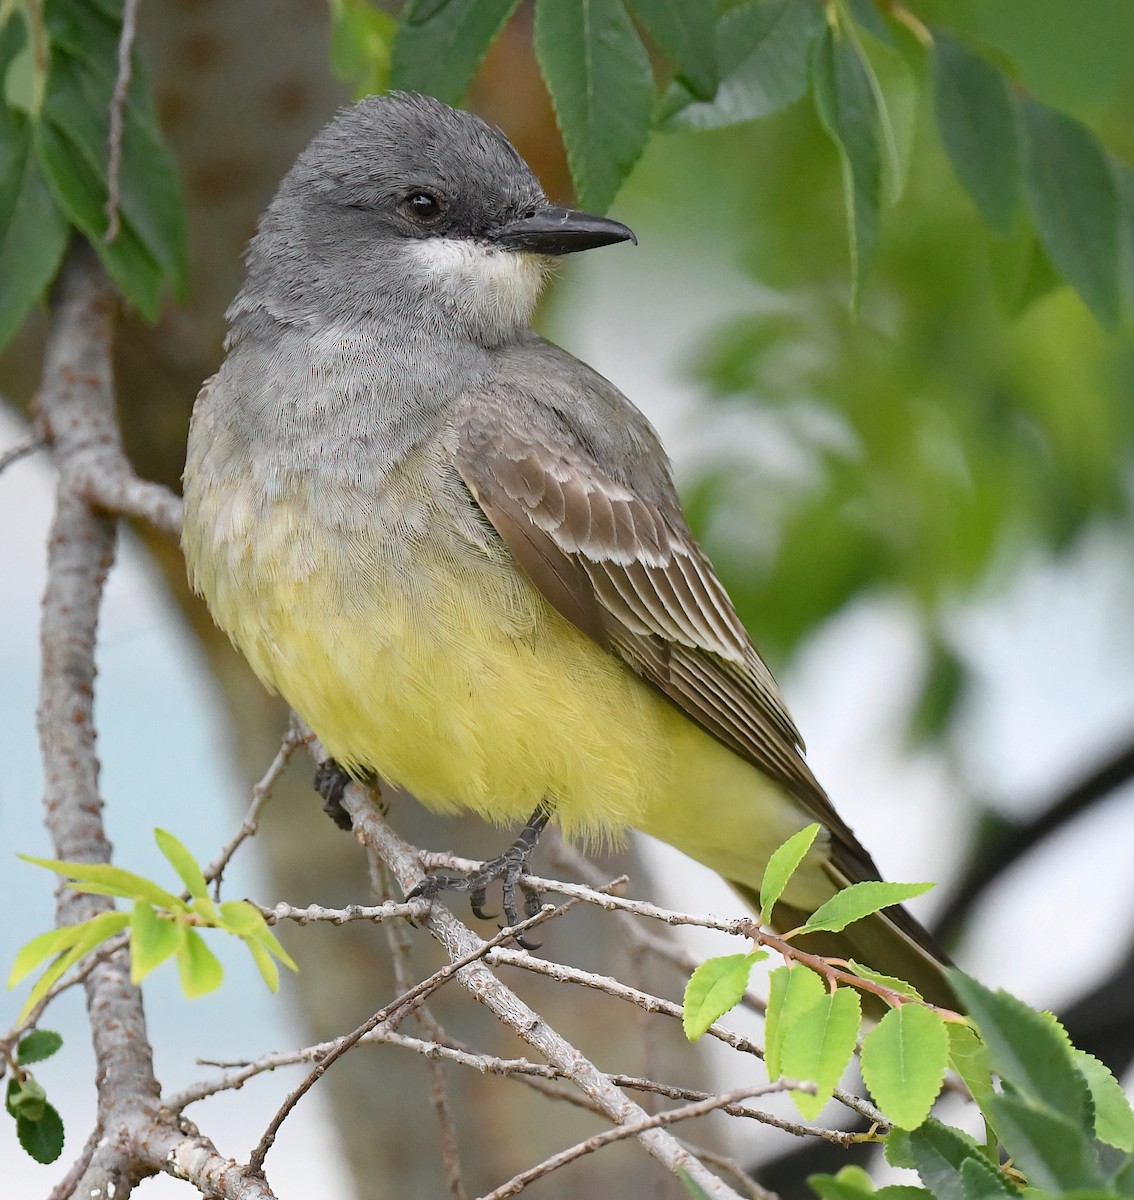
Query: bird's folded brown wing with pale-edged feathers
[(628, 573)]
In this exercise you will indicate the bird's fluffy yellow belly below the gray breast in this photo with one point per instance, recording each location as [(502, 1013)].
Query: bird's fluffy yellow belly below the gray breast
[(449, 675)]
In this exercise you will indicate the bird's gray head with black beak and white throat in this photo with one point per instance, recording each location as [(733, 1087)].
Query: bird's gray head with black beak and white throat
[(407, 213)]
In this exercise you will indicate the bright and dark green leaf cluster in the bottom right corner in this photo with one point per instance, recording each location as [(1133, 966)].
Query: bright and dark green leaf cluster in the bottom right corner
[(1058, 1123)]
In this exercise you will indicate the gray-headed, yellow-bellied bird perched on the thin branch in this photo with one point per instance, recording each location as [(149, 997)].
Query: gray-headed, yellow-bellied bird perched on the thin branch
[(459, 553)]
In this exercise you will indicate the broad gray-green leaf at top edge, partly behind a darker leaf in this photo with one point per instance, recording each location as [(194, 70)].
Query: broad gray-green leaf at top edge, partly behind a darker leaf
[(763, 49)]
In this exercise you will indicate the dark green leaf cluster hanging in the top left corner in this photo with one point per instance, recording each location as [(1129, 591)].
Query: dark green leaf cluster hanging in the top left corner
[(61, 169)]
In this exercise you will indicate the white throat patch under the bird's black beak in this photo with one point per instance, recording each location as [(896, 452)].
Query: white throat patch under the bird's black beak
[(490, 289)]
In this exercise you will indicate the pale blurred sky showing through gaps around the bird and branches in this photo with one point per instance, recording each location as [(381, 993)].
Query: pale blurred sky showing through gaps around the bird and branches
[(1057, 693)]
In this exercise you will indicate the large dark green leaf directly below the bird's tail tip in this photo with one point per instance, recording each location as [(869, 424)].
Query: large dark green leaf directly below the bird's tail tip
[(1029, 1051)]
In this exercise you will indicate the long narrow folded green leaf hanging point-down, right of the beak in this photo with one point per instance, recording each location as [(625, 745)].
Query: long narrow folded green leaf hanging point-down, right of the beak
[(848, 111)]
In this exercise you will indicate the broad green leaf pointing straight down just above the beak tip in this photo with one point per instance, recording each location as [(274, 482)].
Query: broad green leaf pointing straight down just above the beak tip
[(603, 89)]
